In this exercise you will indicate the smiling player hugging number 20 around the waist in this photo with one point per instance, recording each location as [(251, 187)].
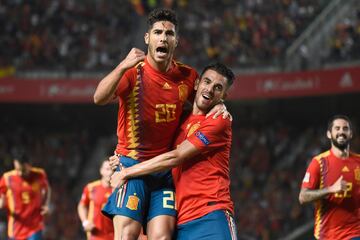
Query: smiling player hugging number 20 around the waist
[(201, 164)]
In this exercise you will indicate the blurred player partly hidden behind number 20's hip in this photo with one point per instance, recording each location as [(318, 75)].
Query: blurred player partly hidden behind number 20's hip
[(94, 196)]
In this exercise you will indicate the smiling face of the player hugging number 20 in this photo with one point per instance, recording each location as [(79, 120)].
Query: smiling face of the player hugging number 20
[(210, 90)]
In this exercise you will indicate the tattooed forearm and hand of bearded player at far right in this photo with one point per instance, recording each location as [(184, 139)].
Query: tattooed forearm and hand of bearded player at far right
[(306, 195)]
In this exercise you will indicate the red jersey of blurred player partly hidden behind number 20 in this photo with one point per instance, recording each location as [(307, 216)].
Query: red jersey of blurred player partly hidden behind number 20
[(95, 196)]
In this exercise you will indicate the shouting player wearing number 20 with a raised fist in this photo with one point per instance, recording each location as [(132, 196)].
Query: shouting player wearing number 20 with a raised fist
[(152, 90)]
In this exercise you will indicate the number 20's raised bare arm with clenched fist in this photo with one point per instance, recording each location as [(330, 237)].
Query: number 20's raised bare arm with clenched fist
[(105, 90)]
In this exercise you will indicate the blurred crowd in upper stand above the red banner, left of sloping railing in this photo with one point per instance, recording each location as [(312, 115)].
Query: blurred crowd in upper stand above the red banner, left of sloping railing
[(91, 35)]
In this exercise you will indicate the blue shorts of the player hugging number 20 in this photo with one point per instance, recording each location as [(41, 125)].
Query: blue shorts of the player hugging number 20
[(219, 225)]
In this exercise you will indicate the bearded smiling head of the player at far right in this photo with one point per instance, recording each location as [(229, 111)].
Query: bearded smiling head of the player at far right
[(340, 134)]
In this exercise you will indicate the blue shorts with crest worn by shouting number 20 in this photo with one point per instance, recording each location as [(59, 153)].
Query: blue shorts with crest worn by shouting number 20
[(142, 198)]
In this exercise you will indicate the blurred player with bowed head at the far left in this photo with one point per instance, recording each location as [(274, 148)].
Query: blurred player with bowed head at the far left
[(25, 194)]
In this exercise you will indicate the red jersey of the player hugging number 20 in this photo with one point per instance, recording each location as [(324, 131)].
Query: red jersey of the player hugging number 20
[(202, 184)]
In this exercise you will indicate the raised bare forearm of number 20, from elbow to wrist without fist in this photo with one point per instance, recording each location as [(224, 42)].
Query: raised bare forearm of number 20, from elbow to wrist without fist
[(107, 86)]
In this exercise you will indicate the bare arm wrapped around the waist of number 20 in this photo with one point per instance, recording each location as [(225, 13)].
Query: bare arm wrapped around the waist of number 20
[(185, 151)]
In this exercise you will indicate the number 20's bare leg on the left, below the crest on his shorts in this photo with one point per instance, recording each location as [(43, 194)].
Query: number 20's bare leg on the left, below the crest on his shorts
[(126, 228)]
